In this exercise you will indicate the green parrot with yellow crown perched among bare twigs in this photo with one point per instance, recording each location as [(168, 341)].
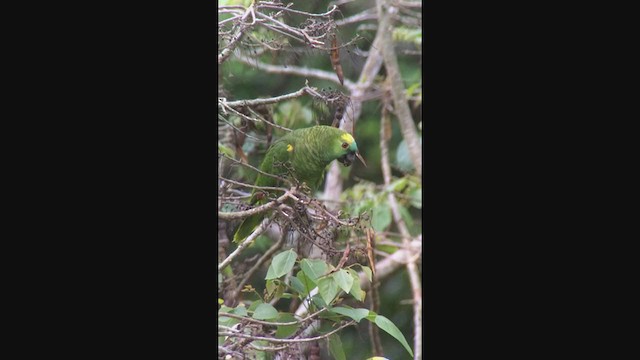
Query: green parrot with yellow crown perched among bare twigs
[(307, 152)]
